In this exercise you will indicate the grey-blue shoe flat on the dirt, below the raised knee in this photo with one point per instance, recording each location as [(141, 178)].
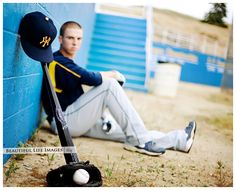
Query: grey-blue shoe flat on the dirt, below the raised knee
[(148, 148)]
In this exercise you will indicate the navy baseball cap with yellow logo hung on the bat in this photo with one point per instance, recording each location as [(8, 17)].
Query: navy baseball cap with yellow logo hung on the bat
[(37, 33)]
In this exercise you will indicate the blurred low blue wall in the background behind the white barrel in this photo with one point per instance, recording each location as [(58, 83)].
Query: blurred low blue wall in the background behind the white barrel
[(197, 67)]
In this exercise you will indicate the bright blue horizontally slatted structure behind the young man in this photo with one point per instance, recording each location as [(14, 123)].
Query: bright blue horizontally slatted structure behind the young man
[(118, 43)]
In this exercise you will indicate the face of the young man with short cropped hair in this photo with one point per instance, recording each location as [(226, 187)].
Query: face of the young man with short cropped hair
[(71, 41)]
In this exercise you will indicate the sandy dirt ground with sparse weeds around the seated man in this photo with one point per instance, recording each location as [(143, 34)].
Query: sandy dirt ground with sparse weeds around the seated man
[(209, 163)]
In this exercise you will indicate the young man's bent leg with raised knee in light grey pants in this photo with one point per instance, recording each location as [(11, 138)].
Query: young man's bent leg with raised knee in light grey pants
[(82, 115)]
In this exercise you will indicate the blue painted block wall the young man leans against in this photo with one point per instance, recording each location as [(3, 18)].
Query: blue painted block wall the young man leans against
[(22, 76)]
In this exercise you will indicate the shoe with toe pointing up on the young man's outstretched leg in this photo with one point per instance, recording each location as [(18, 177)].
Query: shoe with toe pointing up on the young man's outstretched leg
[(190, 131)]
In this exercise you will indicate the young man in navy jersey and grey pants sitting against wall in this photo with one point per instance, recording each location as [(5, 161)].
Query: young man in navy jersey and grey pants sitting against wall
[(84, 111)]
